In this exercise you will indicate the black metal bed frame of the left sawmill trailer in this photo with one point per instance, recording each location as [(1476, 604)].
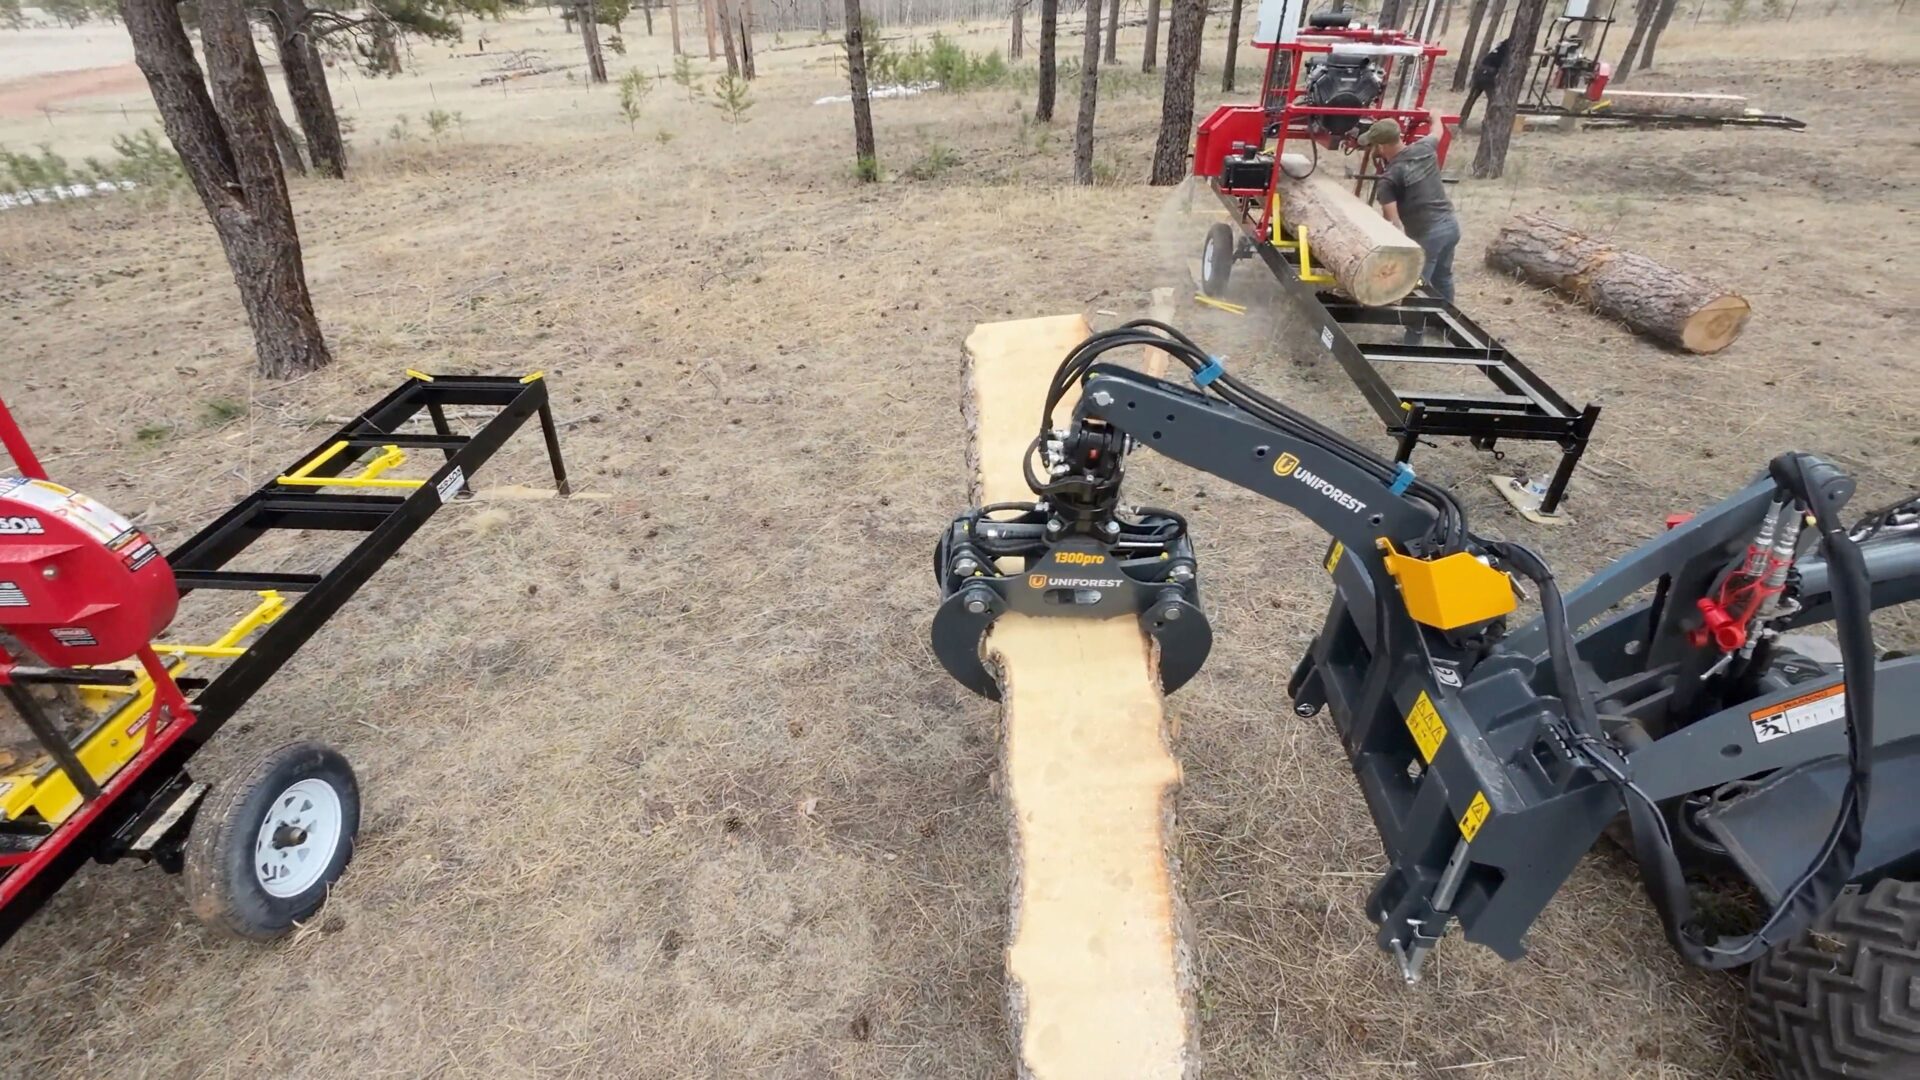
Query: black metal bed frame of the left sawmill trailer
[(147, 806)]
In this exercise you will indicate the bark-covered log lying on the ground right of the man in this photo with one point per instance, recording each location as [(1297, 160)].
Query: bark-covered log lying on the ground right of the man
[(1648, 297)]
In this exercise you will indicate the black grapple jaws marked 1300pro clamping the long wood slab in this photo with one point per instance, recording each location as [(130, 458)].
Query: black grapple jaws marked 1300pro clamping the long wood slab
[(1141, 568)]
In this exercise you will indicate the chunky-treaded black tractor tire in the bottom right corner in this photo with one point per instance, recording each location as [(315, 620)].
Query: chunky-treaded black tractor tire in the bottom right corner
[(1844, 996)]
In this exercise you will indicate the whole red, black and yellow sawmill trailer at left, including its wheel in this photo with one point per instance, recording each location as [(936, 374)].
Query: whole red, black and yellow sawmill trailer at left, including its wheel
[(114, 710)]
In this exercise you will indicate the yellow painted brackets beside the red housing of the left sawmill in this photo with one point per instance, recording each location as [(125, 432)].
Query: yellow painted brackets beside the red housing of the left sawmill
[(47, 791)]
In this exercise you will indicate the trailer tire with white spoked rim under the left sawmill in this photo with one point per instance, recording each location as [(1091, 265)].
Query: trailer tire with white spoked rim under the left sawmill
[(268, 848)]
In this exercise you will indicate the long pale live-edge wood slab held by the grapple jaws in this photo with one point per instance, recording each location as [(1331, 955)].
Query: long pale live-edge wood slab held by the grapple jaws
[(1099, 975)]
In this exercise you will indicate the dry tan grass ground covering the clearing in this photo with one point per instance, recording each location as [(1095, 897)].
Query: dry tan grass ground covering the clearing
[(671, 785)]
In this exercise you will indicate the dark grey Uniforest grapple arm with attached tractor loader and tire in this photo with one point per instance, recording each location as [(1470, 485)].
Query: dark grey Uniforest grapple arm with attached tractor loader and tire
[(1677, 691)]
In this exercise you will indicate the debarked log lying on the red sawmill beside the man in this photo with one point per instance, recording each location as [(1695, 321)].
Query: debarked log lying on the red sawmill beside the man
[(1370, 258)]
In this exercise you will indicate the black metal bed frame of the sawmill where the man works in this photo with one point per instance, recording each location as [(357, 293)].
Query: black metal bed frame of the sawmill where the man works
[(1522, 405)]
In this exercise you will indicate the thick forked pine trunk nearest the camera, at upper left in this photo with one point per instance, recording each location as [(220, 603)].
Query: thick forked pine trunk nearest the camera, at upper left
[(226, 145)]
